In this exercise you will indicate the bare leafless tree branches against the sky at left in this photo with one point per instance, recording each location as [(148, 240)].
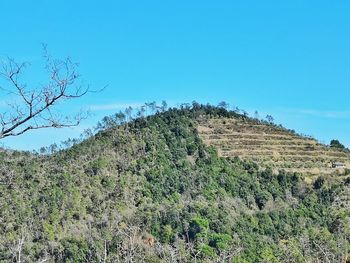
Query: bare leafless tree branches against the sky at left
[(34, 108)]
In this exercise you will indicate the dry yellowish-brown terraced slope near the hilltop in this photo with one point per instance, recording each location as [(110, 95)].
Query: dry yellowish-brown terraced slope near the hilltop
[(271, 146)]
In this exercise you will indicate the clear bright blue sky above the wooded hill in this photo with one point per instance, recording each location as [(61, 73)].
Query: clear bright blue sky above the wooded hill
[(287, 58)]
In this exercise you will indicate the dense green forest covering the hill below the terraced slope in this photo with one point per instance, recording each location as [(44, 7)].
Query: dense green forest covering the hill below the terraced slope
[(150, 190)]
